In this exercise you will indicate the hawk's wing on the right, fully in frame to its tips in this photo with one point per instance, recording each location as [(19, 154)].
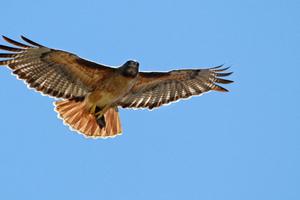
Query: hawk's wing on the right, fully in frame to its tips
[(154, 89)]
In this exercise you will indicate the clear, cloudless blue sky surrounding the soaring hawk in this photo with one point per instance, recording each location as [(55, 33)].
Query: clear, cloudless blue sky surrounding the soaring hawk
[(240, 145)]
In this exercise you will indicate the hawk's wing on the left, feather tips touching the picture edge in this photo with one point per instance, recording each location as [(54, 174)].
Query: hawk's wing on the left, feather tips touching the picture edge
[(53, 72)]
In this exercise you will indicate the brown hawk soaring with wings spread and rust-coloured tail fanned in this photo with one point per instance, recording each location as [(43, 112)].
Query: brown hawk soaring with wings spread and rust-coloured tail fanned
[(88, 94)]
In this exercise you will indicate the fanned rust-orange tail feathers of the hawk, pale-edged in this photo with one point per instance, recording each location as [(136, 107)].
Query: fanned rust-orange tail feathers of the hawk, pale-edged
[(77, 116)]
